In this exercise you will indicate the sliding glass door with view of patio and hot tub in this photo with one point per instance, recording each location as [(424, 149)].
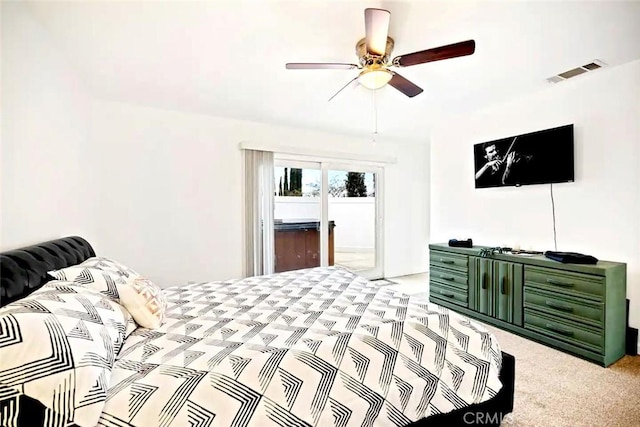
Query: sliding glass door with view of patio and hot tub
[(327, 214)]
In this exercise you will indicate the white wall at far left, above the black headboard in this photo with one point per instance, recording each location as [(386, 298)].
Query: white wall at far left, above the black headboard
[(44, 133)]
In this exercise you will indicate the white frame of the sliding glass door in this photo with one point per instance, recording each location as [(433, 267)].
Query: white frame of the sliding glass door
[(326, 165)]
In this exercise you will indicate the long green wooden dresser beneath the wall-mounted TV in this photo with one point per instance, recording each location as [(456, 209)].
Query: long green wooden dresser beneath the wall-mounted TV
[(576, 308)]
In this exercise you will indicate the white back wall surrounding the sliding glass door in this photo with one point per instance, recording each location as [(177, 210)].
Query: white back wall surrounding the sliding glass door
[(170, 190)]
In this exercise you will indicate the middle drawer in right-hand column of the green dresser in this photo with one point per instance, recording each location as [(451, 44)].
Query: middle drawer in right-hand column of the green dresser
[(567, 307)]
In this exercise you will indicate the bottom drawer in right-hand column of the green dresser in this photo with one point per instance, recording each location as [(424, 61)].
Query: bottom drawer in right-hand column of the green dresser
[(564, 330)]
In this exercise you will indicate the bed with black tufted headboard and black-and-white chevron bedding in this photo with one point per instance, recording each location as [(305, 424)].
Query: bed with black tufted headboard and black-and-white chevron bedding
[(313, 347)]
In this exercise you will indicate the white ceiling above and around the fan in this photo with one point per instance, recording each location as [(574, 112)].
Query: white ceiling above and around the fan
[(226, 58)]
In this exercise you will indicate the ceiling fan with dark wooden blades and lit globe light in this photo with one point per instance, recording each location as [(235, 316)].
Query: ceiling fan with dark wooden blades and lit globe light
[(374, 52)]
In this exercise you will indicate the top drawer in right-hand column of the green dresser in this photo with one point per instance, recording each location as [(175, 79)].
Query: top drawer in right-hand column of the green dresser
[(565, 282)]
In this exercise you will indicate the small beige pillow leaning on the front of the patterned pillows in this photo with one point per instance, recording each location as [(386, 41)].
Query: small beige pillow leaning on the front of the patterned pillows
[(144, 300)]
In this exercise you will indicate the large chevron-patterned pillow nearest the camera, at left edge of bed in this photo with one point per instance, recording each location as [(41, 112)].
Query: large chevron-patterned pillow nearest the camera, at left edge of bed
[(58, 347)]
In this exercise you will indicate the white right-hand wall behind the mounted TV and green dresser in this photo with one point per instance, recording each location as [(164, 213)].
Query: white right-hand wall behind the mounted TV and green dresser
[(598, 214)]
